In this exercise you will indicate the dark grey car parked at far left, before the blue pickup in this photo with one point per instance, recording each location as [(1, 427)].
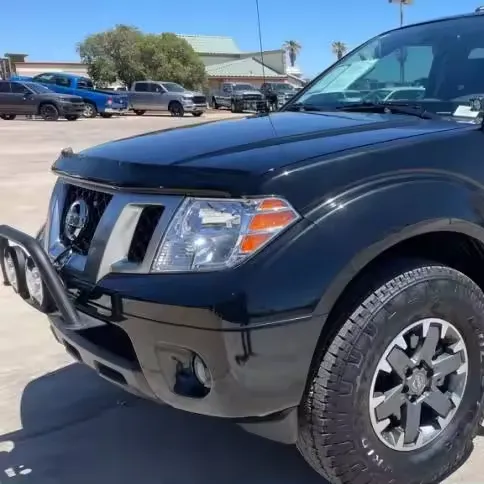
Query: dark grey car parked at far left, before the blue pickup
[(29, 99)]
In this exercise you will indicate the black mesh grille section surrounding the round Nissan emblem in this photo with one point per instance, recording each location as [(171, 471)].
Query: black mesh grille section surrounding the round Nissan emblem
[(96, 203)]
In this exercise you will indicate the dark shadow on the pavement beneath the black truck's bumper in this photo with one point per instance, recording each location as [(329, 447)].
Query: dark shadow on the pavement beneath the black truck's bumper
[(78, 429)]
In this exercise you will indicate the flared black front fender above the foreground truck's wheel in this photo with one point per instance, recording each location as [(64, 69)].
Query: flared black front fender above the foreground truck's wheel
[(354, 230)]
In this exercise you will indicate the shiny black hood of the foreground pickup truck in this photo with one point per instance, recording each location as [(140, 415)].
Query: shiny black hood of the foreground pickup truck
[(230, 156)]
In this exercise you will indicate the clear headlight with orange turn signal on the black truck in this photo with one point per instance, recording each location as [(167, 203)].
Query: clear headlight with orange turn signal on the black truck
[(214, 234)]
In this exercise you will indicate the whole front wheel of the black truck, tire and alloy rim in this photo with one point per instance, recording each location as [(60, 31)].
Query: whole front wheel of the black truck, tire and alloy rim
[(396, 394)]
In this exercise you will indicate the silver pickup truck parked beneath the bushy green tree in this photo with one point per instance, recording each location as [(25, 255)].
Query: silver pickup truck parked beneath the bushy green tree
[(165, 96)]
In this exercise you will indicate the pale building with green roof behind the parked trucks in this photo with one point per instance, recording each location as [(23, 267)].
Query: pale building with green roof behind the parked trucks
[(226, 62)]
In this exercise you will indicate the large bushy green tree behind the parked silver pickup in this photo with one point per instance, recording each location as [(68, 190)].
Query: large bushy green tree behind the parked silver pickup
[(124, 53)]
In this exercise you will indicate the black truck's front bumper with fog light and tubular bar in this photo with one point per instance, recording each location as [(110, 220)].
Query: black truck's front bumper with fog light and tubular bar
[(148, 348)]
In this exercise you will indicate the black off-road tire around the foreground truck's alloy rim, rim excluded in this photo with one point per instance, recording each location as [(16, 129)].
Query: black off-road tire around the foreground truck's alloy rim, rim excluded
[(335, 435)]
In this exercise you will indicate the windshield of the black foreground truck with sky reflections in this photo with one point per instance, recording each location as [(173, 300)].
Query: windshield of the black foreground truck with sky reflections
[(438, 65)]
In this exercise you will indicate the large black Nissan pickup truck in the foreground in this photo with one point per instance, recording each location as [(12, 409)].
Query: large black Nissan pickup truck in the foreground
[(315, 274)]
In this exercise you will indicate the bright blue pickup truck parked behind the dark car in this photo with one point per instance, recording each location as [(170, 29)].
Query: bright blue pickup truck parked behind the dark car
[(96, 101)]
